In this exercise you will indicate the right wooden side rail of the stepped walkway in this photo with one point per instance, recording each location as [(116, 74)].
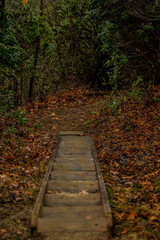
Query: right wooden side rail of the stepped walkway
[(105, 201)]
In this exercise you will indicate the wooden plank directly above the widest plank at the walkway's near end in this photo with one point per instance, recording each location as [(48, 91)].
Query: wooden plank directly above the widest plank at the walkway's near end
[(82, 211)]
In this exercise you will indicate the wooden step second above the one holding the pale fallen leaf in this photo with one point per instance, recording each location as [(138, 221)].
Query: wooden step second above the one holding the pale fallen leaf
[(73, 166)]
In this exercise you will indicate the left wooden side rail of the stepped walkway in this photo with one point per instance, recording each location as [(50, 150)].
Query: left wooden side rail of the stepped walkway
[(39, 200)]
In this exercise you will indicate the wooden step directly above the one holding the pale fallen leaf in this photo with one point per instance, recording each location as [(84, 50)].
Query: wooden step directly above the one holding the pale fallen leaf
[(74, 175)]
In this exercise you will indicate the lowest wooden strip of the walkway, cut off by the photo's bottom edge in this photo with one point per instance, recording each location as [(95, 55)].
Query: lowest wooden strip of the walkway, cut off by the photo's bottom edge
[(77, 236)]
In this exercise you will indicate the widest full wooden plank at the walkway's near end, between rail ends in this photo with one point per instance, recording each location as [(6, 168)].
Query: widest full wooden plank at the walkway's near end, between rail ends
[(71, 224)]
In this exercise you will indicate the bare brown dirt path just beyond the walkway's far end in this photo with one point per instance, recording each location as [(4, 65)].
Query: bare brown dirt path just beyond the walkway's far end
[(70, 114)]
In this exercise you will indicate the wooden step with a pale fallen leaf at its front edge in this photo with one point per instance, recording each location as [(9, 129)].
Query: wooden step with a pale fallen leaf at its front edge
[(73, 186)]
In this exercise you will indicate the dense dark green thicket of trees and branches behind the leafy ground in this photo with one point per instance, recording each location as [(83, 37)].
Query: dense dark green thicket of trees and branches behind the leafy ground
[(105, 42)]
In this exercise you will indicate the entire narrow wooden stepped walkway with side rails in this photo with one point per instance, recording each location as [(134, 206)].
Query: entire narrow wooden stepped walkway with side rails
[(72, 203)]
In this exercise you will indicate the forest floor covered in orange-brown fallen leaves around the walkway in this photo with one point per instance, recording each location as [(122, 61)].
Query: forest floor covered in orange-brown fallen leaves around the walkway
[(127, 137)]
